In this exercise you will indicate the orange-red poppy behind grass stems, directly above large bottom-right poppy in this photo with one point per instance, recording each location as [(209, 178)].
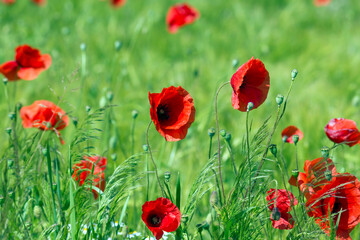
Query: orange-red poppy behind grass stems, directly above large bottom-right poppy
[(313, 179)]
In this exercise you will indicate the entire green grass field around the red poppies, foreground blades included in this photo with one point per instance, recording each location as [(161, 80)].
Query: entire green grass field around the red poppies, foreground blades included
[(322, 43)]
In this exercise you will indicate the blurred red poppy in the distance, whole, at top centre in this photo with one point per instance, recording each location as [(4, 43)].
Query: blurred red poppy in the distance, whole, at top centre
[(180, 15)]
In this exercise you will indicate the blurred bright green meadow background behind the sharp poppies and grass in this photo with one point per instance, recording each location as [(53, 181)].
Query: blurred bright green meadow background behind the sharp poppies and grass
[(321, 42)]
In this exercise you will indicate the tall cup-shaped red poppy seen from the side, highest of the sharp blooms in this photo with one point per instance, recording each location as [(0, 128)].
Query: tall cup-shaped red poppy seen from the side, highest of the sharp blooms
[(250, 83)]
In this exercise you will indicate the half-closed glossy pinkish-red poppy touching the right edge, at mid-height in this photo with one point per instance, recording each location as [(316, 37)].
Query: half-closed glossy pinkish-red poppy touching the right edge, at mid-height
[(340, 130)]
